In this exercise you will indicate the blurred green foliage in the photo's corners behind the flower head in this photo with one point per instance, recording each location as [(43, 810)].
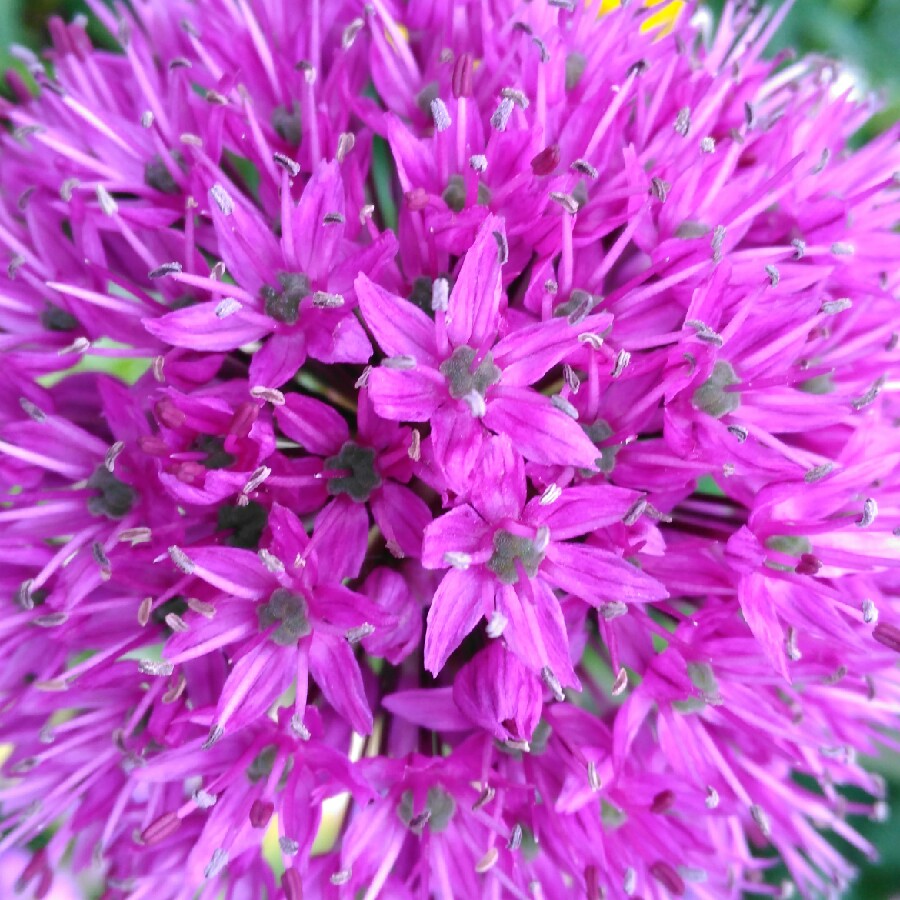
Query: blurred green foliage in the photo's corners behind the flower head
[(865, 33)]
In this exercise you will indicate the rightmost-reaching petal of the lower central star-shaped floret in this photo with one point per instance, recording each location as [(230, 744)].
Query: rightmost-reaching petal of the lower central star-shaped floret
[(598, 576)]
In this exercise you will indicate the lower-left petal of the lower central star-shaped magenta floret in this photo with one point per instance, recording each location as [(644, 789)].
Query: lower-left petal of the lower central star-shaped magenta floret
[(461, 599)]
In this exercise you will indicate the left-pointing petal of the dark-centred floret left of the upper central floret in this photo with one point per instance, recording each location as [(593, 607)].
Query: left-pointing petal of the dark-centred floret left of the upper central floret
[(199, 328)]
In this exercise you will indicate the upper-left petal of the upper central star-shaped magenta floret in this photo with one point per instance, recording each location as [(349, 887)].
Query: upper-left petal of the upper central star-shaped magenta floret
[(400, 327)]
